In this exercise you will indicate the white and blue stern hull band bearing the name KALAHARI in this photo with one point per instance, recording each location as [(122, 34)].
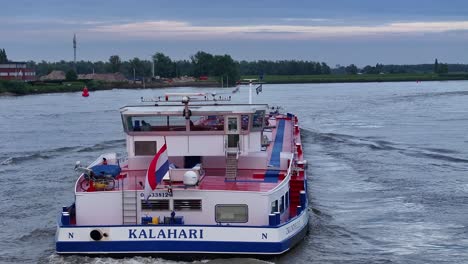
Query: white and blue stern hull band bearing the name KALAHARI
[(183, 239)]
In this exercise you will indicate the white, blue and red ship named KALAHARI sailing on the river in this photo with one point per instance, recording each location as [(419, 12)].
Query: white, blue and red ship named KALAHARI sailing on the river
[(200, 175)]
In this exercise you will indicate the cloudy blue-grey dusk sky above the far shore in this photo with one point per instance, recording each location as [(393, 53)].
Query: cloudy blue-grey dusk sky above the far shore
[(334, 31)]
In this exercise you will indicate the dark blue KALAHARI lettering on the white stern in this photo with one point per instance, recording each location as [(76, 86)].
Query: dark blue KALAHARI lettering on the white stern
[(170, 233)]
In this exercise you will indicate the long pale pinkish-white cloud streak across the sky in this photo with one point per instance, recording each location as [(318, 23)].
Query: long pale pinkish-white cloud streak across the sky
[(184, 30)]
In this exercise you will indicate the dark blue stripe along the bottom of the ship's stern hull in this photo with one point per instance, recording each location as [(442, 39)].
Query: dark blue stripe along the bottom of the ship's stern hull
[(215, 247)]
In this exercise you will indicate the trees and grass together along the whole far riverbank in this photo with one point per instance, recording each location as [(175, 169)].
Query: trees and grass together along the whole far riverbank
[(220, 70)]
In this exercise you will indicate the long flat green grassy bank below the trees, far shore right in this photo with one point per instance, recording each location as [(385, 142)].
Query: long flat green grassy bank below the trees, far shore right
[(359, 78)]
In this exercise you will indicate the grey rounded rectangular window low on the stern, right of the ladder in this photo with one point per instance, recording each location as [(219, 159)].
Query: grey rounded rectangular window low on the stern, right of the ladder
[(231, 213)]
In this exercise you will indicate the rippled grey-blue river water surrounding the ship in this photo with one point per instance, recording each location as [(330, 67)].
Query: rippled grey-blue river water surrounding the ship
[(388, 172)]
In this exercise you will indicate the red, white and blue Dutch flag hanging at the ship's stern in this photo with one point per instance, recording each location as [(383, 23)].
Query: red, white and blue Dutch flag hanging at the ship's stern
[(158, 167)]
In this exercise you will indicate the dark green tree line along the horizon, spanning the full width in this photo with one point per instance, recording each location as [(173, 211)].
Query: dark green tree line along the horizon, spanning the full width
[(224, 66)]
